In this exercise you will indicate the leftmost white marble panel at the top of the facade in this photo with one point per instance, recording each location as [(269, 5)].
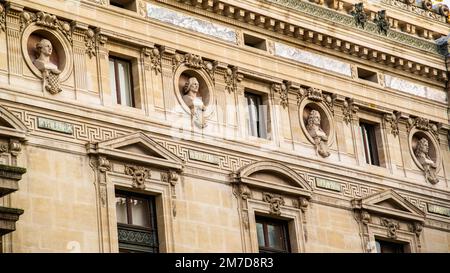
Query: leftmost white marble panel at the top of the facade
[(188, 22)]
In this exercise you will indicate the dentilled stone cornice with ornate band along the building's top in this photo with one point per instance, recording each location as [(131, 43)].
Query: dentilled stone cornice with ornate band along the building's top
[(244, 17)]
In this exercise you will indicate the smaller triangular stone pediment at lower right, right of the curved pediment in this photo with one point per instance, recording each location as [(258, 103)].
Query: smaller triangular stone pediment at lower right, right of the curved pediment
[(390, 203)]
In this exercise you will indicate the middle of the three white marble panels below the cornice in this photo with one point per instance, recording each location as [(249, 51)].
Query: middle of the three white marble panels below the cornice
[(313, 59)]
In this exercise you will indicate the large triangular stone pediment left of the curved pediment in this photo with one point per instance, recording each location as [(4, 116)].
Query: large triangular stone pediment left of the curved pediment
[(137, 147)]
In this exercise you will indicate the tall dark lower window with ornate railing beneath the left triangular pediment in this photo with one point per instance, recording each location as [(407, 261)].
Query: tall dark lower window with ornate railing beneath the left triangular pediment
[(136, 223)]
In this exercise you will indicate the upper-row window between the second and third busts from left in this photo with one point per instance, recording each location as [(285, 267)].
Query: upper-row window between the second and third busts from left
[(257, 115)]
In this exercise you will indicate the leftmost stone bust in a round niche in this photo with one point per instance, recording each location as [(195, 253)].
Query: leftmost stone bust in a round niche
[(50, 72)]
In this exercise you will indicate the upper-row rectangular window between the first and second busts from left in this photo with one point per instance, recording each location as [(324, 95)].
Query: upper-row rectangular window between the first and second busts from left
[(121, 81)]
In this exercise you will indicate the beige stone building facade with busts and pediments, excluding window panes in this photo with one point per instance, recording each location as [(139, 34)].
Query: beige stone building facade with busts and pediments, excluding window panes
[(321, 68)]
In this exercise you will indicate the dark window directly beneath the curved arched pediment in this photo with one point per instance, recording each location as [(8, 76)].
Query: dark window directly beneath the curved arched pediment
[(272, 235)]
